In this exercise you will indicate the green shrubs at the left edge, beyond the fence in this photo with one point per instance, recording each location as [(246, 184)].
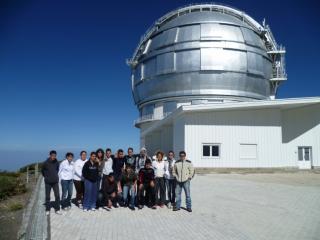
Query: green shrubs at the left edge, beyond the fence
[(11, 183)]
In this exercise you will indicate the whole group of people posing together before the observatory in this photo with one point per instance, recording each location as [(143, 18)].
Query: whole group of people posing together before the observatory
[(106, 180)]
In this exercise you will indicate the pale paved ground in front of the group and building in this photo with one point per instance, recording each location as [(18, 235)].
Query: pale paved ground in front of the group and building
[(225, 206)]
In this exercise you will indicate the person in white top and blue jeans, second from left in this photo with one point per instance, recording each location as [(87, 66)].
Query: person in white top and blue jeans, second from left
[(66, 172)]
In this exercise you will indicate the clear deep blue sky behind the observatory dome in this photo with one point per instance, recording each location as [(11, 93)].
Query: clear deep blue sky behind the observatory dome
[(64, 83)]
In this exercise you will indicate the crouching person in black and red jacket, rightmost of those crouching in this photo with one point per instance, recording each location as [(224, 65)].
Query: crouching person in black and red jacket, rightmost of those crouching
[(146, 184)]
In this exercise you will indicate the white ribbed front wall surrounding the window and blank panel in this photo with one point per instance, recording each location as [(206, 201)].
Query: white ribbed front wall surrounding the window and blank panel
[(230, 129)]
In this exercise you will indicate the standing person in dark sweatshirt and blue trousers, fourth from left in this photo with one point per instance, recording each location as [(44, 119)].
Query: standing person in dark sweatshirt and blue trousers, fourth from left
[(90, 173)]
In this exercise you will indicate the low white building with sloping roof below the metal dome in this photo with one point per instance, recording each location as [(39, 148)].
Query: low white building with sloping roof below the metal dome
[(260, 134)]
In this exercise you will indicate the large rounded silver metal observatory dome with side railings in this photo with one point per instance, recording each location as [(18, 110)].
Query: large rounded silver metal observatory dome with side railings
[(204, 53)]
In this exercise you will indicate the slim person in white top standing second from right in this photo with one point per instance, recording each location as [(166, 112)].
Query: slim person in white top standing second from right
[(170, 179)]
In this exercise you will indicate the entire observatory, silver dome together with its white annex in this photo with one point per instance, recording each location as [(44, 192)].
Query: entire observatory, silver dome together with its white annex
[(205, 79)]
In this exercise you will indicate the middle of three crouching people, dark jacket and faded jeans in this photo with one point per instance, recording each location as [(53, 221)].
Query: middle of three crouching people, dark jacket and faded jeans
[(129, 182)]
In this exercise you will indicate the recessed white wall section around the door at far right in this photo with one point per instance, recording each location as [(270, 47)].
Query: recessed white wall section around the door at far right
[(301, 127)]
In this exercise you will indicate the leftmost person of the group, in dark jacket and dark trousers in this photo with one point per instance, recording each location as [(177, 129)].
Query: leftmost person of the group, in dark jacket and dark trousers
[(50, 171)]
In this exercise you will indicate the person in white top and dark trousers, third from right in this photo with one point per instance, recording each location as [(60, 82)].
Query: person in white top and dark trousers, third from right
[(159, 167)]
